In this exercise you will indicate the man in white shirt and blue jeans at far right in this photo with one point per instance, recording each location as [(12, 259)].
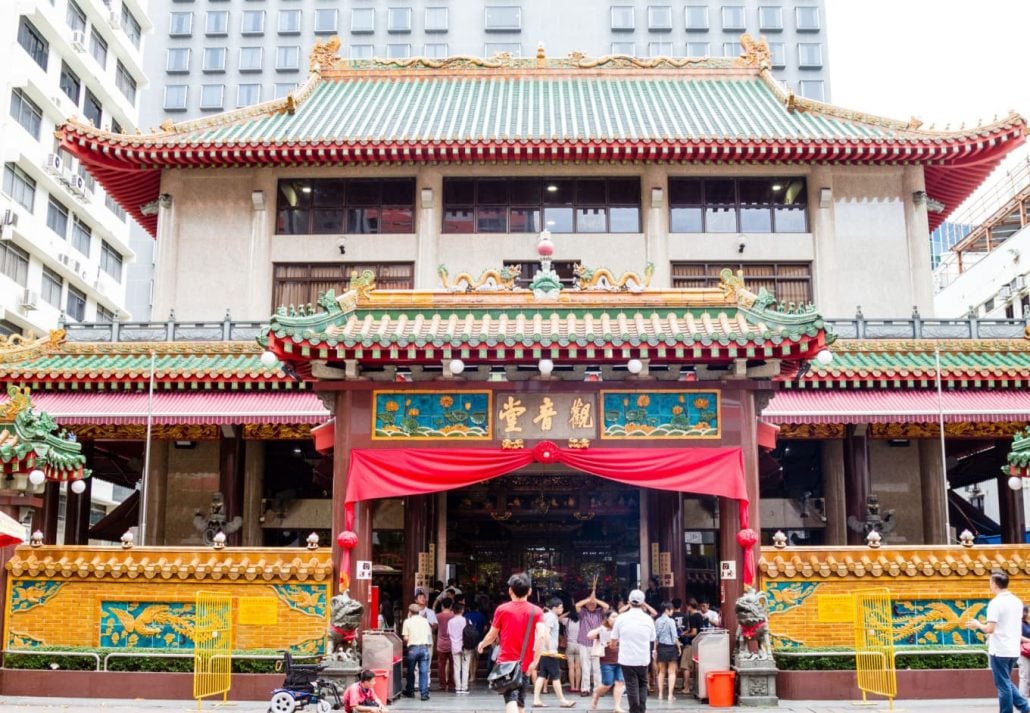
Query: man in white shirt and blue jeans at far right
[(1004, 630)]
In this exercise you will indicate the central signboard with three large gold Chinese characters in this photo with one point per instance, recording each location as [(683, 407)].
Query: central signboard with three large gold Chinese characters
[(545, 416)]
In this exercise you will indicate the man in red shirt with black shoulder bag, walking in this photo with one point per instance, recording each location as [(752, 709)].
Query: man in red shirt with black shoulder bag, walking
[(510, 623)]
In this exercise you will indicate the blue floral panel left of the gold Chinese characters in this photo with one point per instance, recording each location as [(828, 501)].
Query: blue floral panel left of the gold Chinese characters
[(432, 416)]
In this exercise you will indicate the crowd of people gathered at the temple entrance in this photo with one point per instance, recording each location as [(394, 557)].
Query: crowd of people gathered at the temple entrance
[(626, 644)]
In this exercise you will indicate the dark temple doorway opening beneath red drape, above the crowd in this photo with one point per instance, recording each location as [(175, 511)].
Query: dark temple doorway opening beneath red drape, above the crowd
[(565, 529)]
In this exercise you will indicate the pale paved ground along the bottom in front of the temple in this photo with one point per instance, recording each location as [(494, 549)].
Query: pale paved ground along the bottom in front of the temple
[(477, 703)]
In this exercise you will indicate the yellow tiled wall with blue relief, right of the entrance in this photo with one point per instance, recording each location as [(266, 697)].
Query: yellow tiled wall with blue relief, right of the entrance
[(934, 592)]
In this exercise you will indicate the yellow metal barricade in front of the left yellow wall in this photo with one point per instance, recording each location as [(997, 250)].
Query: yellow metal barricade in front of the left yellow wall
[(213, 646)]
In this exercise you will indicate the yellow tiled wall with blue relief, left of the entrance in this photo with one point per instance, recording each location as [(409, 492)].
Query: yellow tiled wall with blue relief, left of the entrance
[(144, 598)]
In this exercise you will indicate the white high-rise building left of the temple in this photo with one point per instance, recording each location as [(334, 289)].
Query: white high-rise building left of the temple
[(64, 244)]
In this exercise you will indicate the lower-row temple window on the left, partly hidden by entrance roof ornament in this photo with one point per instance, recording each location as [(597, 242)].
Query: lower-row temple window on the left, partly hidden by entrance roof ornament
[(299, 284)]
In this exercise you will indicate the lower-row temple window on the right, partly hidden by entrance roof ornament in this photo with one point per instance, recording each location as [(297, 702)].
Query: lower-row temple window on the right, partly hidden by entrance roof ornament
[(788, 282)]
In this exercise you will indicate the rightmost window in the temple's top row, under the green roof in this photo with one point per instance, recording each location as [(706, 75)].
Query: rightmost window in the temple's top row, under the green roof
[(738, 206)]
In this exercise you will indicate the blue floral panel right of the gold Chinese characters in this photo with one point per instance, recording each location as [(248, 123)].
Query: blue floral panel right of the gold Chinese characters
[(644, 416)]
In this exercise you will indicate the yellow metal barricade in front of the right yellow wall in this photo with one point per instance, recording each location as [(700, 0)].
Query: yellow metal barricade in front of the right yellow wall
[(875, 644)]
